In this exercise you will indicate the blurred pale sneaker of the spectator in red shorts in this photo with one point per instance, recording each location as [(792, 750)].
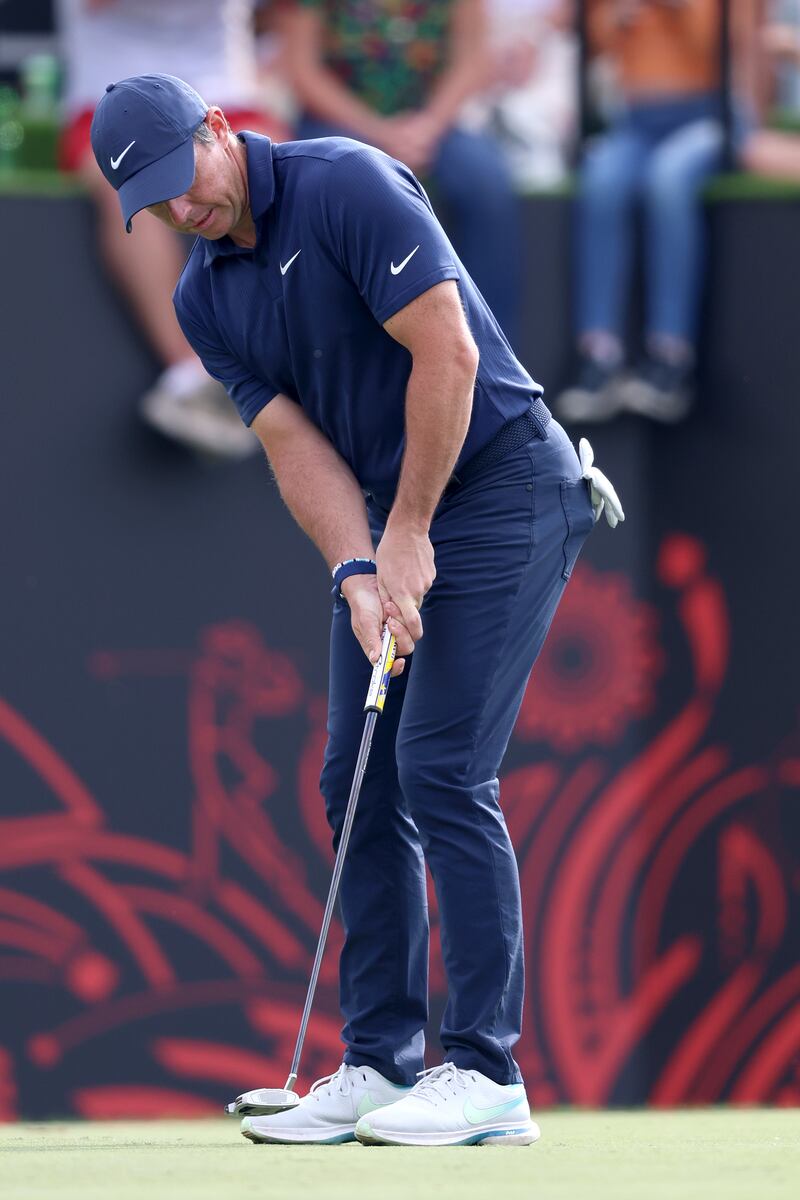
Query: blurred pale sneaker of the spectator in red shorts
[(195, 410)]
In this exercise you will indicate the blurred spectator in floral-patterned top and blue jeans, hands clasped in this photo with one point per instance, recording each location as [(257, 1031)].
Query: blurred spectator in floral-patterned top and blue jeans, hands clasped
[(398, 76)]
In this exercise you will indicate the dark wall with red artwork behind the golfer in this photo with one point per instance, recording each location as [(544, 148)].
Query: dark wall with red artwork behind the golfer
[(164, 854)]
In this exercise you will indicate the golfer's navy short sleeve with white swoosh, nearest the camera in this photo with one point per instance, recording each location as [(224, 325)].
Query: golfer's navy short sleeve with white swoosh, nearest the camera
[(384, 231)]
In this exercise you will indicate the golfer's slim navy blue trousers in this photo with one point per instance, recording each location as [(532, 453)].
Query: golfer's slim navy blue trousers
[(506, 544)]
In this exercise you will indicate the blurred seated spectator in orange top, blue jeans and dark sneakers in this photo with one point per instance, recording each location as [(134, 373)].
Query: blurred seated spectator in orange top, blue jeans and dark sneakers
[(659, 151)]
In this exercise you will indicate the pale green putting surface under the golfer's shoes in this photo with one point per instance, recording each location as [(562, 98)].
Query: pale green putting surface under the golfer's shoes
[(735, 1154)]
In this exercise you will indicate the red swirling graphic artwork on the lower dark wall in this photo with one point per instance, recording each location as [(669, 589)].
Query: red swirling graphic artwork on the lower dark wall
[(163, 975)]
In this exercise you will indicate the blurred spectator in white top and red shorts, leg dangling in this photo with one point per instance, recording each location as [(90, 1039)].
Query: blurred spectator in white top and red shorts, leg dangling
[(212, 45)]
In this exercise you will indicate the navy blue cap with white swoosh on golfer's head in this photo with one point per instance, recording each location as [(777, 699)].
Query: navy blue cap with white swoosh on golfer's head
[(142, 137)]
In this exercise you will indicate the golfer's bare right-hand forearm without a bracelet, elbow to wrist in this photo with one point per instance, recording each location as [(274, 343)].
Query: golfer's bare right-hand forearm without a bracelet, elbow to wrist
[(438, 407)]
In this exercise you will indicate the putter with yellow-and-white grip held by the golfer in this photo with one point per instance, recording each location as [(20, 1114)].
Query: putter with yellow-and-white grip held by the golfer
[(268, 1101)]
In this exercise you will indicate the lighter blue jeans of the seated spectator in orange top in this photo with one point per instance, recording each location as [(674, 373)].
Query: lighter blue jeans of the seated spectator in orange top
[(659, 154)]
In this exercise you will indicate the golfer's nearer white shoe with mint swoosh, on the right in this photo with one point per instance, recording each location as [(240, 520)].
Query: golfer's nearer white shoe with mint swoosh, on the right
[(450, 1107)]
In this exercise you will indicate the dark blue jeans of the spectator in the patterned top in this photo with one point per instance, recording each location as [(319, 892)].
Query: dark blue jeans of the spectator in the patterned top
[(476, 185)]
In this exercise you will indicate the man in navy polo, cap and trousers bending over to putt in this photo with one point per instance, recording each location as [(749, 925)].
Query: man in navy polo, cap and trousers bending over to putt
[(417, 453)]
